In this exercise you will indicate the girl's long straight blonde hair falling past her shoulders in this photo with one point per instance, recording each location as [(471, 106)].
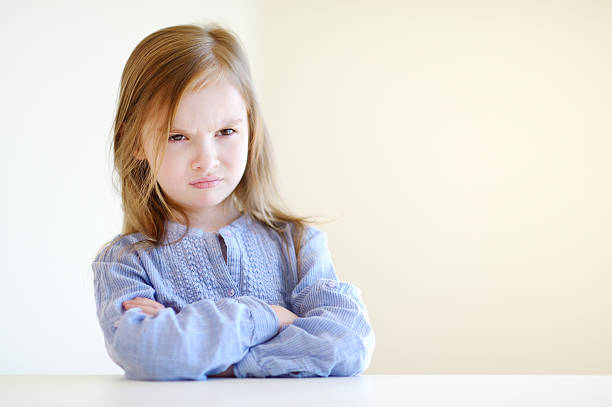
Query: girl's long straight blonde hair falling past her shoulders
[(164, 66)]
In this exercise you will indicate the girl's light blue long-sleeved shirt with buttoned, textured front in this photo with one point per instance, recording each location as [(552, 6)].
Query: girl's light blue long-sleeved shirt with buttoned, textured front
[(217, 312)]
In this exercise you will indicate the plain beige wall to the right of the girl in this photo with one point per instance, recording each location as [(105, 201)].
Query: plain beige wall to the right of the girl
[(465, 149)]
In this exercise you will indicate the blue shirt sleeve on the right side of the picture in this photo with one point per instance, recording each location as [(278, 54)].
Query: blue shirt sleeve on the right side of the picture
[(331, 337)]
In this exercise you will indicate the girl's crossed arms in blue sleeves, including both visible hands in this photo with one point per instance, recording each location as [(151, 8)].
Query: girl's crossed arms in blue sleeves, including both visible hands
[(325, 332)]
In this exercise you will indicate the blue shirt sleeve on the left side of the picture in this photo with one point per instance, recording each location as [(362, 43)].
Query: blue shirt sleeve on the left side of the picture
[(204, 338)]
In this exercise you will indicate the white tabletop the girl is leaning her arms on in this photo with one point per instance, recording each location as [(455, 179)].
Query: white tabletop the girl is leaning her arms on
[(365, 390)]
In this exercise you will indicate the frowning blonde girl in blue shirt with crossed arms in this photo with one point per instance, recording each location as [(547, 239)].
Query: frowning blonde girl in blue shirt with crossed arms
[(210, 277)]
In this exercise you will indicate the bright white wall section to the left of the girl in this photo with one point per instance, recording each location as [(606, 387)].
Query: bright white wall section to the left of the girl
[(60, 71)]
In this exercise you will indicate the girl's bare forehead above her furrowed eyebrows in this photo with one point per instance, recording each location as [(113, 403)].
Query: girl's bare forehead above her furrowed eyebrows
[(208, 107)]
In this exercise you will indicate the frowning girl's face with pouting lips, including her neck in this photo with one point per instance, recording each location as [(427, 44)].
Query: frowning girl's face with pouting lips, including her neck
[(206, 154)]
